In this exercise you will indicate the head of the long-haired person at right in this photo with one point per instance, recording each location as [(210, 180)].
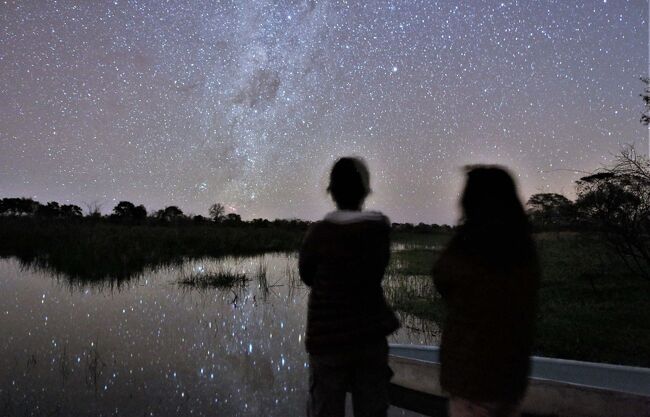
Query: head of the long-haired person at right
[(490, 198)]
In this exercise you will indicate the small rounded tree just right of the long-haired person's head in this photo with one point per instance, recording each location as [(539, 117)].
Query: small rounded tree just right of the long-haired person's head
[(550, 211)]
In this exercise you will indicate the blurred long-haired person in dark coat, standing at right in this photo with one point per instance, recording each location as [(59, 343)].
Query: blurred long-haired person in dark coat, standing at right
[(488, 277)]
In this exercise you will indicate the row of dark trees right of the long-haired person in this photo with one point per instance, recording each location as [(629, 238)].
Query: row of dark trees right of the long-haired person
[(613, 201)]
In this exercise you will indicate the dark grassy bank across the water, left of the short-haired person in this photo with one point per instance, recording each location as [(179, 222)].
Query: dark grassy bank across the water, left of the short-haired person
[(87, 250)]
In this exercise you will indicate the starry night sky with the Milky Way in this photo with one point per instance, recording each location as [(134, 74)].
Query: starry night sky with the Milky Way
[(249, 103)]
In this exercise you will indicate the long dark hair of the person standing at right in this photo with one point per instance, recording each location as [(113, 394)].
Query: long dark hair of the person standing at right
[(494, 223)]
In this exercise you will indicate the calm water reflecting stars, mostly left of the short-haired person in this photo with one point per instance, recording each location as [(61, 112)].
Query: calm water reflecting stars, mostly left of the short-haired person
[(155, 348)]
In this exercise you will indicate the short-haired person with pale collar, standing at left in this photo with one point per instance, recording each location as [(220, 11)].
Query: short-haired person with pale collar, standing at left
[(343, 259)]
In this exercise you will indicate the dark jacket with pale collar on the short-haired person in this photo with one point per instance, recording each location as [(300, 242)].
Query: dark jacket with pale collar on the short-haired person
[(343, 261)]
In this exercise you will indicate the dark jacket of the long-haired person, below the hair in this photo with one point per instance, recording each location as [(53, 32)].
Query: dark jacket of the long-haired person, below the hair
[(488, 334)]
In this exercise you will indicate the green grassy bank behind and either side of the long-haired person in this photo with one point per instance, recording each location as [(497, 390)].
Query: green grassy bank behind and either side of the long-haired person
[(591, 308)]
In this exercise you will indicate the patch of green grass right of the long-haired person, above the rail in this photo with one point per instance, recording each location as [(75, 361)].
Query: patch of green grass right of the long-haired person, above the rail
[(590, 306)]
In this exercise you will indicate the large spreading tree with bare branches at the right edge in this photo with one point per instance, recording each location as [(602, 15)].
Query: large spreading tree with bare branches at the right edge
[(615, 201)]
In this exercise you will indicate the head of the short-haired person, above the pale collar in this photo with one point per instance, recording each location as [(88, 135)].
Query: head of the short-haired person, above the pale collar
[(349, 183)]
